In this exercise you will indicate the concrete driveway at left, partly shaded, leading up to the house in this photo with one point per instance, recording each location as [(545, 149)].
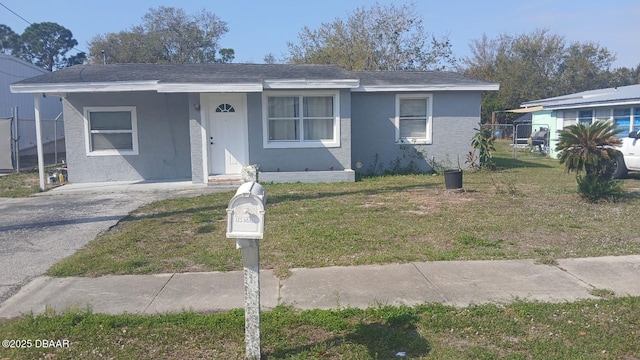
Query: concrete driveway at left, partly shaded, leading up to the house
[(38, 231)]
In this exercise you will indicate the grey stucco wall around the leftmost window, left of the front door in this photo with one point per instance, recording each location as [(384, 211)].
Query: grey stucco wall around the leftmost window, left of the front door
[(163, 138)]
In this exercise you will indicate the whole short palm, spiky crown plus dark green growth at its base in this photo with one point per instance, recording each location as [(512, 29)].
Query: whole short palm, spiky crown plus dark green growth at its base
[(592, 148)]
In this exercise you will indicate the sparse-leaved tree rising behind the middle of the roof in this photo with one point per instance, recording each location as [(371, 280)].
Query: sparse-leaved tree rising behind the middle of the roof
[(382, 37)]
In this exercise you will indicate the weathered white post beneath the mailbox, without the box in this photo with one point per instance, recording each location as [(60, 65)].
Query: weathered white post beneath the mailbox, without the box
[(251, 261)]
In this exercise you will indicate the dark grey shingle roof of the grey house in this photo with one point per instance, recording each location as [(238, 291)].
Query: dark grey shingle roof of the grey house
[(230, 74)]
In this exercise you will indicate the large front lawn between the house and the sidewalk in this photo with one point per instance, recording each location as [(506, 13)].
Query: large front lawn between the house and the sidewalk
[(528, 208)]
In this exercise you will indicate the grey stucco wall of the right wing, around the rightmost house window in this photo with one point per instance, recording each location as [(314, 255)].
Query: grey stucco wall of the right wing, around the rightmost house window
[(374, 147)]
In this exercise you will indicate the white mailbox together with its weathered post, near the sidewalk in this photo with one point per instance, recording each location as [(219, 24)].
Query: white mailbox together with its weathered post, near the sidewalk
[(245, 223)]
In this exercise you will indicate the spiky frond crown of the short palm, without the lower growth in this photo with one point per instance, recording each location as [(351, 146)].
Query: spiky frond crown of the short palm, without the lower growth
[(590, 148)]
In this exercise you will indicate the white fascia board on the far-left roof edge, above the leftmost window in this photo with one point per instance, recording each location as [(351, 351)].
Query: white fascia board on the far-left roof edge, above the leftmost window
[(84, 87)]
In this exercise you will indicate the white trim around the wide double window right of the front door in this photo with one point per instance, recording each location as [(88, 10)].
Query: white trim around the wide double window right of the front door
[(270, 144)]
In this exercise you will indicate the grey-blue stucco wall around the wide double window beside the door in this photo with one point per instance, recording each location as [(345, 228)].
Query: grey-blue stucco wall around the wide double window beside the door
[(298, 159)]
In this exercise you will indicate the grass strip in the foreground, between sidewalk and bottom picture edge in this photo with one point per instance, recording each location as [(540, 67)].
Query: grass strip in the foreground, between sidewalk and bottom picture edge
[(590, 329)]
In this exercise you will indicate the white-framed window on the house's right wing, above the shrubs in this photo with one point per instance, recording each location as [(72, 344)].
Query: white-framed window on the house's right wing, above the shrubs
[(413, 119)]
